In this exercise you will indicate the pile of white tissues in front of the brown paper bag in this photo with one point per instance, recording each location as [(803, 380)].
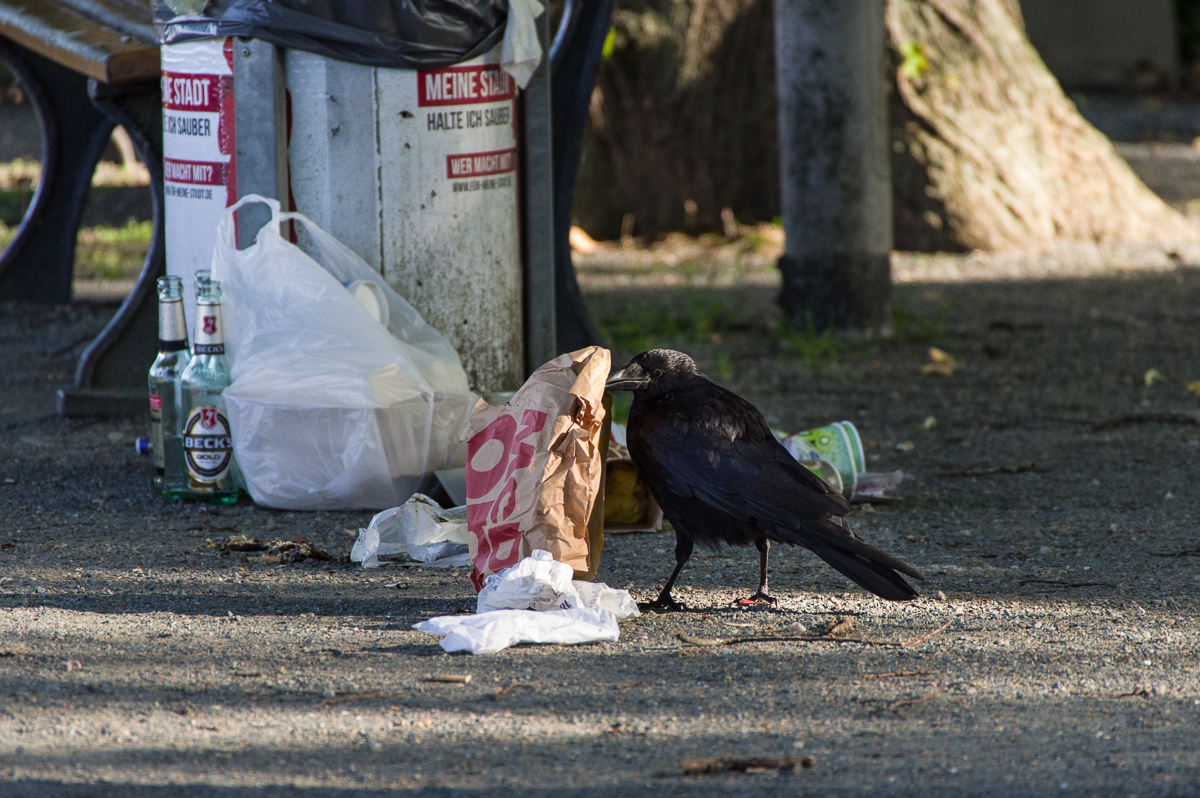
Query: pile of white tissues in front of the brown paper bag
[(536, 602)]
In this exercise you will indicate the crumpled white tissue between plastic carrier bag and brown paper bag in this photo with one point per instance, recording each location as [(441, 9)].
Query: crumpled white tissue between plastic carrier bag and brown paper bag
[(418, 531)]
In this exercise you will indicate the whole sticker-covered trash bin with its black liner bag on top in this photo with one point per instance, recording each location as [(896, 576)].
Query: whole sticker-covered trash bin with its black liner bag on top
[(401, 142)]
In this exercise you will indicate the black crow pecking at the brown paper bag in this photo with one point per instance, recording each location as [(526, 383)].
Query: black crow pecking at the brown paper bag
[(721, 476)]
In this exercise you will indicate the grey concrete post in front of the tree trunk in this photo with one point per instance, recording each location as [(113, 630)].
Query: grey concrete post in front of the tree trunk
[(835, 164)]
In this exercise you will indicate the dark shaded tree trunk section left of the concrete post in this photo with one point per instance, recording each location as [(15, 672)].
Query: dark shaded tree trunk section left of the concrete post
[(683, 119)]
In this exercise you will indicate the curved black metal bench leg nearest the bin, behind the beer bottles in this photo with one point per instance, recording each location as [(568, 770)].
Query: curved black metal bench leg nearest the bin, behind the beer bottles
[(111, 377)]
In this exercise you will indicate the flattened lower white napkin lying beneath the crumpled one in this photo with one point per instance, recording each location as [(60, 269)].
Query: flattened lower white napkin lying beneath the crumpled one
[(493, 632)]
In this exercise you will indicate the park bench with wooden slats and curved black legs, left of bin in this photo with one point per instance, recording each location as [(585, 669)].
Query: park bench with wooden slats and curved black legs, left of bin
[(87, 67)]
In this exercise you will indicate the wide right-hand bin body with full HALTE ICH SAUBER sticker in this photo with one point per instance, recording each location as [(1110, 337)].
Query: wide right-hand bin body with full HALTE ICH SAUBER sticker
[(417, 172)]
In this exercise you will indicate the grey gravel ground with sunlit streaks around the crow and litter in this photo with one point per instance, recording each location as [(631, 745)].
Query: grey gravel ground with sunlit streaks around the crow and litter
[(1051, 502)]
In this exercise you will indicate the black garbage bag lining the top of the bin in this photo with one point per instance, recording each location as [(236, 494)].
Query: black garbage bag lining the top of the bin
[(400, 34)]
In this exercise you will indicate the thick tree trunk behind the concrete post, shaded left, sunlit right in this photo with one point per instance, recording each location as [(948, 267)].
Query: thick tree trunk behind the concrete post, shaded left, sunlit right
[(988, 153)]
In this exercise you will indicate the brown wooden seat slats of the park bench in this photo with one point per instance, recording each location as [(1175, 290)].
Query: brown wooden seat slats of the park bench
[(65, 35)]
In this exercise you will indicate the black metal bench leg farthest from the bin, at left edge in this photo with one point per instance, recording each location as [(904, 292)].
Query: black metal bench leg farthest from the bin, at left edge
[(39, 265)]
